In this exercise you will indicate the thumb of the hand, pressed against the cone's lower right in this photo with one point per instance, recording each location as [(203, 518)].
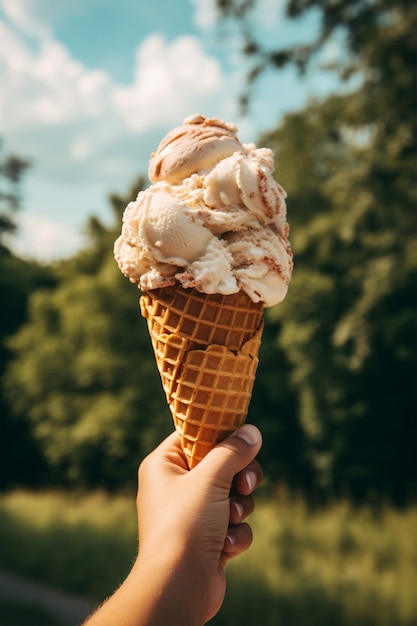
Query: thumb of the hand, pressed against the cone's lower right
[(233, 454)]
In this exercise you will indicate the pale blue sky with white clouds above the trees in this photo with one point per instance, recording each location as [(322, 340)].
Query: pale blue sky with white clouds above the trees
[(88, 88)]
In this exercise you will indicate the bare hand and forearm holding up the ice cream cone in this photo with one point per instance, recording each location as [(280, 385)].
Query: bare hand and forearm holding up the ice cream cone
[(190, 524)]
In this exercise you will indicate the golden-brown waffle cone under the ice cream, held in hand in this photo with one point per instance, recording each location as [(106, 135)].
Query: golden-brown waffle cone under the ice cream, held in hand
[(206, 348)]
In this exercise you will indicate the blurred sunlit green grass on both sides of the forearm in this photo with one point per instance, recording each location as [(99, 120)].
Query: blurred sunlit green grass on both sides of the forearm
[(337, 566)]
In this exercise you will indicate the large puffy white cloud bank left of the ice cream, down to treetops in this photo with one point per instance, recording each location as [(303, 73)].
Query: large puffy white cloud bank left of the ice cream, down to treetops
[(82, 128)]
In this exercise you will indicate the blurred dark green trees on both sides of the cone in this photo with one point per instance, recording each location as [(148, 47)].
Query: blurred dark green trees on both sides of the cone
[(81, 401)]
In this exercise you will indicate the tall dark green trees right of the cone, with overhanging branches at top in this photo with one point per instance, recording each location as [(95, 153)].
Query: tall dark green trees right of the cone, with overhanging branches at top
[(347, 327)]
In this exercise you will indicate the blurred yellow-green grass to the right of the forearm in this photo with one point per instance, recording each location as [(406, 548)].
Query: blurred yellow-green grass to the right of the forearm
[(336, 566)]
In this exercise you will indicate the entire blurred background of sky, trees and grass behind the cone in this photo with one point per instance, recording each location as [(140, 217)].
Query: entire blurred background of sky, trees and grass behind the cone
[(87, 90)]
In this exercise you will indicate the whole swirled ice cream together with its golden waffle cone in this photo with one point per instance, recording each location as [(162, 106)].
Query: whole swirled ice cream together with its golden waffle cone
[(207, 244)]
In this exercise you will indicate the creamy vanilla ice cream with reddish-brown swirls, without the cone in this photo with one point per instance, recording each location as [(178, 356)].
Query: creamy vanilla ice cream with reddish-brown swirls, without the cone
[(213, 219)]
